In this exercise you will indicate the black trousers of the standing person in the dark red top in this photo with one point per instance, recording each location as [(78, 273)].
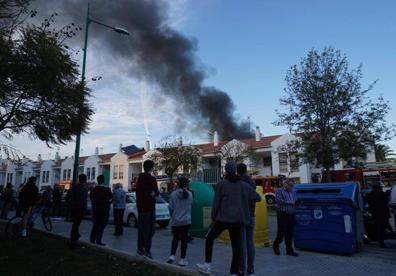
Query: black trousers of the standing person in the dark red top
[(146, 229)]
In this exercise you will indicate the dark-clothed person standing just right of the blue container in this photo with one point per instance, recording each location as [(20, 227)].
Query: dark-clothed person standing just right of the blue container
[(378, 206)]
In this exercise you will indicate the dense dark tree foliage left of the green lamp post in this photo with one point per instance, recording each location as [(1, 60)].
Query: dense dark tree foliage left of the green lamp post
[(41, 93)]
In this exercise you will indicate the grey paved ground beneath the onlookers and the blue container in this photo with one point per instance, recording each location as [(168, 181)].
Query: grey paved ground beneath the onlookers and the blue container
[(371, 261)]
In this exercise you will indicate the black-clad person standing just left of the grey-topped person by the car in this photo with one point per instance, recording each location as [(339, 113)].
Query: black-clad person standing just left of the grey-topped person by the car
[(101, 199)]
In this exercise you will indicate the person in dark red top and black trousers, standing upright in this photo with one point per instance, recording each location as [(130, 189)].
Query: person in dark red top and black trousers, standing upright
[(146, 191)]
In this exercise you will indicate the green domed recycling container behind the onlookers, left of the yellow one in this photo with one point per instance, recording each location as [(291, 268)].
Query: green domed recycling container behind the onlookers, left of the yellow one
[(201, 209)]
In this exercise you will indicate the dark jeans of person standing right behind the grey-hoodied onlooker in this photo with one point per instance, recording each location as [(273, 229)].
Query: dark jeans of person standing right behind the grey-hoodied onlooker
[(248, 248)]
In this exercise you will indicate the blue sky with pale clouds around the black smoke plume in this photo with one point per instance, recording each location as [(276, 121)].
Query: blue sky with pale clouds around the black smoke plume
[(246, 48)]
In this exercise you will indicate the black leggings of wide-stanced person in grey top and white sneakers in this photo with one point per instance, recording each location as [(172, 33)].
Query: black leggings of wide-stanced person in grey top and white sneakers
[(235, 231)]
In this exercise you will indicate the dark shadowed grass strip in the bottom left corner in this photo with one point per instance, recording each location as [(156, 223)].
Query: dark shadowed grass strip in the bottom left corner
[(41, 254)]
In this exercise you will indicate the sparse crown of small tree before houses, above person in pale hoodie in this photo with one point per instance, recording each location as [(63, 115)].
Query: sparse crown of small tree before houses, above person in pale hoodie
[(172, 154)]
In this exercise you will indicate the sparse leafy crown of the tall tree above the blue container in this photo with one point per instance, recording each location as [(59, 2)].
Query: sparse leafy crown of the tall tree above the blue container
[(326, 106)]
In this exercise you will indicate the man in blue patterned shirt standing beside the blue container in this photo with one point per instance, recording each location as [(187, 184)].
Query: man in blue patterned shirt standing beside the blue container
[(286, 201)]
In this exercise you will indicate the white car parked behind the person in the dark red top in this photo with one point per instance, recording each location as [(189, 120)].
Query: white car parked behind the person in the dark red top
[(131, 213)]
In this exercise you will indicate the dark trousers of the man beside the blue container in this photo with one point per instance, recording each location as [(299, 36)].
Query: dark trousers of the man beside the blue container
[(285, 230)]
